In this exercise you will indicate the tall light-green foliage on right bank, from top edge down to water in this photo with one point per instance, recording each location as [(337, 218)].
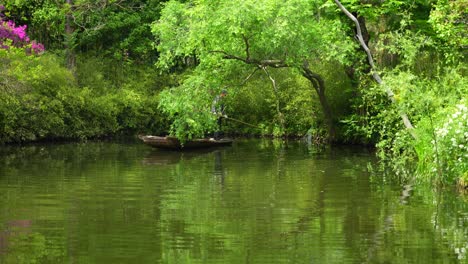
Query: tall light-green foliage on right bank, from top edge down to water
[(424, 69)]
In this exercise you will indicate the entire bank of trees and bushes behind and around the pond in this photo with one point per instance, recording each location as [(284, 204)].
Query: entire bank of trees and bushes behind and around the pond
[(291, 68)]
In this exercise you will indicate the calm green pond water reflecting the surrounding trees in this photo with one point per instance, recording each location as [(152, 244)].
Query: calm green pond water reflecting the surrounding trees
[(258, 201)]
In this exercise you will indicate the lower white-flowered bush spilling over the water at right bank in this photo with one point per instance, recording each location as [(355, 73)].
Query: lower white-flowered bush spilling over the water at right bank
[(436, 107)]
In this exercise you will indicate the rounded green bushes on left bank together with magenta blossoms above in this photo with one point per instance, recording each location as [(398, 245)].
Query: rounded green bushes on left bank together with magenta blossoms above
[(42, 99)]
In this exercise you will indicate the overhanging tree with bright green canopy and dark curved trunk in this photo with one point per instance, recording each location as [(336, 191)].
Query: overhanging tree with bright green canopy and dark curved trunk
[(261, 34)]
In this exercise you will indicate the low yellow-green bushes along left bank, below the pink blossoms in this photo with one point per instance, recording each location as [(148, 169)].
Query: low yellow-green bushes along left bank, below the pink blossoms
[(41, 100)]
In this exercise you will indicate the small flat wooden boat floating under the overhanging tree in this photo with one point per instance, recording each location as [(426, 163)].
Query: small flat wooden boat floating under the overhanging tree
[(173, 143)]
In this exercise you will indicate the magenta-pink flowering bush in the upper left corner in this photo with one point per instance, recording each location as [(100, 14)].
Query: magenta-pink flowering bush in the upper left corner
[(12, 35)]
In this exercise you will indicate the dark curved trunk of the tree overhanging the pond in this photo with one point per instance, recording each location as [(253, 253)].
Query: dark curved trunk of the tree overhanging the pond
[(319, 85)]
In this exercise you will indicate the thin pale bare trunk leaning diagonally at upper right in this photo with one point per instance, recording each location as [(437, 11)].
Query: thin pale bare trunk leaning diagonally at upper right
[(370, 60)]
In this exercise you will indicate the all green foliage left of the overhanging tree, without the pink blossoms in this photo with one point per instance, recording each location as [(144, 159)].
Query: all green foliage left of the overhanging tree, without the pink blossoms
[(112, 90)]
